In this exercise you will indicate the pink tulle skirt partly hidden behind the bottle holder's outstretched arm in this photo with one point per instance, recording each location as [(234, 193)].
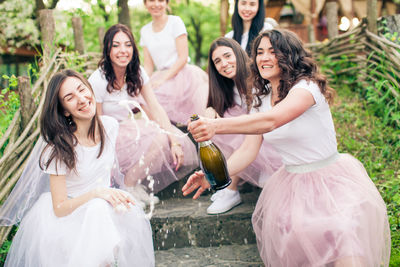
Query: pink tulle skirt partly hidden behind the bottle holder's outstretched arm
[(267, 162)]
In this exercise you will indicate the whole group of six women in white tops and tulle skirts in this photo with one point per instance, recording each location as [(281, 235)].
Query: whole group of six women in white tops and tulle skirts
[(96, 160)]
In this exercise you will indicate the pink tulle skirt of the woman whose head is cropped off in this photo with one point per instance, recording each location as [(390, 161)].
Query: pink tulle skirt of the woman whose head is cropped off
[(183, 95)]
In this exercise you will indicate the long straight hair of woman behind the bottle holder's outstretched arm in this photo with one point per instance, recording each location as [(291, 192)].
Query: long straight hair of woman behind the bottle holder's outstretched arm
[(221, 96)]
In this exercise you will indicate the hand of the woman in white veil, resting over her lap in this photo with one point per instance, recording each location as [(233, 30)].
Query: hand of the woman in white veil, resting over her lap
[(115, 197)]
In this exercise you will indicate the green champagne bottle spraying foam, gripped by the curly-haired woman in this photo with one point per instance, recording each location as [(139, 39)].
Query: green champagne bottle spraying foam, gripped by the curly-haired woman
[(213, 163)]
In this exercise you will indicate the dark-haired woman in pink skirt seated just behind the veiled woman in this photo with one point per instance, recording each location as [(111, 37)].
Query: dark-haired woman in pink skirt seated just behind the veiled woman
[(144, 150)]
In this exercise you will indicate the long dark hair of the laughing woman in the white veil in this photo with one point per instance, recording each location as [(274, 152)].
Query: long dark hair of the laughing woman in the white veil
[(57, 130)]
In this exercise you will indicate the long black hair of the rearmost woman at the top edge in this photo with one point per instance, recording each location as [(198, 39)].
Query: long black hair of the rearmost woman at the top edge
[(257, 24)]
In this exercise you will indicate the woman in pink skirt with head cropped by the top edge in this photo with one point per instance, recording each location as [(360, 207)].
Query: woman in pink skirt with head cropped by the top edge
[(180, 88)]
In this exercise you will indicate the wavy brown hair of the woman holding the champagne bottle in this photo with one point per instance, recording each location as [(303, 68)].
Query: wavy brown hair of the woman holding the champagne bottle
[(295, 62)]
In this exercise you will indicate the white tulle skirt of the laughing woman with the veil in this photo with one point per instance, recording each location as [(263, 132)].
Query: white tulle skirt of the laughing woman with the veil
[(93, 235)]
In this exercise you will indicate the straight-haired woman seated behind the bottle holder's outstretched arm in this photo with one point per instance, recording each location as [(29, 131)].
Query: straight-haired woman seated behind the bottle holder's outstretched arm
[(230, 96)]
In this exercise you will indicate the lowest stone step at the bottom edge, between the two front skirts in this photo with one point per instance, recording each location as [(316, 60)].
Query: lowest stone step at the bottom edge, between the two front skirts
[(229, 255)]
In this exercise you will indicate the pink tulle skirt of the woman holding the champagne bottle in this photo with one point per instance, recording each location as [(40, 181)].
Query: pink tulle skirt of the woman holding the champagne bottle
[(322, 215)]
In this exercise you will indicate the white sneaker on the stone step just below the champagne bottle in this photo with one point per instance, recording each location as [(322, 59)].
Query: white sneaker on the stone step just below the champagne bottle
[(224, 201)]
